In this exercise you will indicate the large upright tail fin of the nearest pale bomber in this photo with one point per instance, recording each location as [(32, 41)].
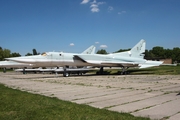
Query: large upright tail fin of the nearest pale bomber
[(138, 49)]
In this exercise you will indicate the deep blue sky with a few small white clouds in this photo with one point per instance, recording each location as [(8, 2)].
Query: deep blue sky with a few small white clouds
[(74, 25)]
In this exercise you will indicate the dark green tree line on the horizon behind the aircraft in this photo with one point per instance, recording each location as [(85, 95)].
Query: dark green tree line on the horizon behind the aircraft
[(155, 53)]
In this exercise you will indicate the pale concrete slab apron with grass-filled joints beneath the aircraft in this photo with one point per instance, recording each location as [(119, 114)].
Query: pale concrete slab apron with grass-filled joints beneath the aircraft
[(153, 96)]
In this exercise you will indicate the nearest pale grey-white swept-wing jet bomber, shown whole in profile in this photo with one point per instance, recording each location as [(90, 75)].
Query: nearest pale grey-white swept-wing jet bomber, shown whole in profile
[(131, 58)]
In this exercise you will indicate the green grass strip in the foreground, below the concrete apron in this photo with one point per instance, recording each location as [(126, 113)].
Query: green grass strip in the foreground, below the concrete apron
[(19, 105)]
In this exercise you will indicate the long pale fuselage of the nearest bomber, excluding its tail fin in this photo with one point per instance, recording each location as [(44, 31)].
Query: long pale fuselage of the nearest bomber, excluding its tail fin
[(54, 59)]
